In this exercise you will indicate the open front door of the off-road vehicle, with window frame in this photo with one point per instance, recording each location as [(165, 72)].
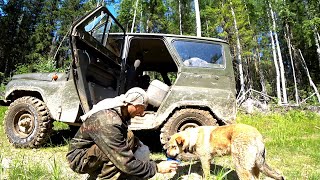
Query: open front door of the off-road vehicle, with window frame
[(96, 65)]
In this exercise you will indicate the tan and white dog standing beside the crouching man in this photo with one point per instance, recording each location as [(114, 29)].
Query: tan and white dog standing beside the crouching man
[(243, 142)]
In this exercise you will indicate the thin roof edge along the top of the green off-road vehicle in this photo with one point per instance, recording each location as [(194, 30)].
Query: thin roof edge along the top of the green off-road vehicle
[(173, 35)]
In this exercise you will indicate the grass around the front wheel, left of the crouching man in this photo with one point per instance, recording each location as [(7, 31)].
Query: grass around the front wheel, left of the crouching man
[(47, 163)]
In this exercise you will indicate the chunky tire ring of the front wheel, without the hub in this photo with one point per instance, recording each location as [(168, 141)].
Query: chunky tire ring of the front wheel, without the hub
[(44, 122)]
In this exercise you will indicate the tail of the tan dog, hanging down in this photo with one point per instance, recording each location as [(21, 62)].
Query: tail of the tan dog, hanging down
[(264, 167)]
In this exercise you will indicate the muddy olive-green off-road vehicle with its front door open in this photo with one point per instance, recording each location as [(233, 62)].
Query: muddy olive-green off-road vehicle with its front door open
[(191, 81)]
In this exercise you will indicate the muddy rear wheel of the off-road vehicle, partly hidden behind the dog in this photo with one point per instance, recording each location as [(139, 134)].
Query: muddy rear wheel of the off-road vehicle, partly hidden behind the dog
[(182, 120)]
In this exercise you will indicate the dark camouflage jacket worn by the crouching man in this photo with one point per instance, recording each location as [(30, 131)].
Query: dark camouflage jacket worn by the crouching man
[(108, 130)]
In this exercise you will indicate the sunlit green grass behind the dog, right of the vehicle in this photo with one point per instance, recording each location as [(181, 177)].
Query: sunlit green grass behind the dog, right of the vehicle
[(292, 141)]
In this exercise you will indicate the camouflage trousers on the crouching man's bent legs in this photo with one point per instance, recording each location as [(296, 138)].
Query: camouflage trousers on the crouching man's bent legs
[(95, 163)]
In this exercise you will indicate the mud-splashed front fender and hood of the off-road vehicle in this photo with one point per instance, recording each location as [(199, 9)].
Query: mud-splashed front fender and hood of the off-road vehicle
[(60, 96)]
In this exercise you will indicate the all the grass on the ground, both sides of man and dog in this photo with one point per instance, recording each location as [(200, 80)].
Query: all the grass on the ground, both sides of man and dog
[(292, 142)]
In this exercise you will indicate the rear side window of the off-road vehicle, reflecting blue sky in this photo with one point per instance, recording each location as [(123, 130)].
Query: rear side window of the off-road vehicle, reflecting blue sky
[(200, 53)]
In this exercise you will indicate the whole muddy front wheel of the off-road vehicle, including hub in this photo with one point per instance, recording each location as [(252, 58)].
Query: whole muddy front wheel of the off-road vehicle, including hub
[(27, 122)]
